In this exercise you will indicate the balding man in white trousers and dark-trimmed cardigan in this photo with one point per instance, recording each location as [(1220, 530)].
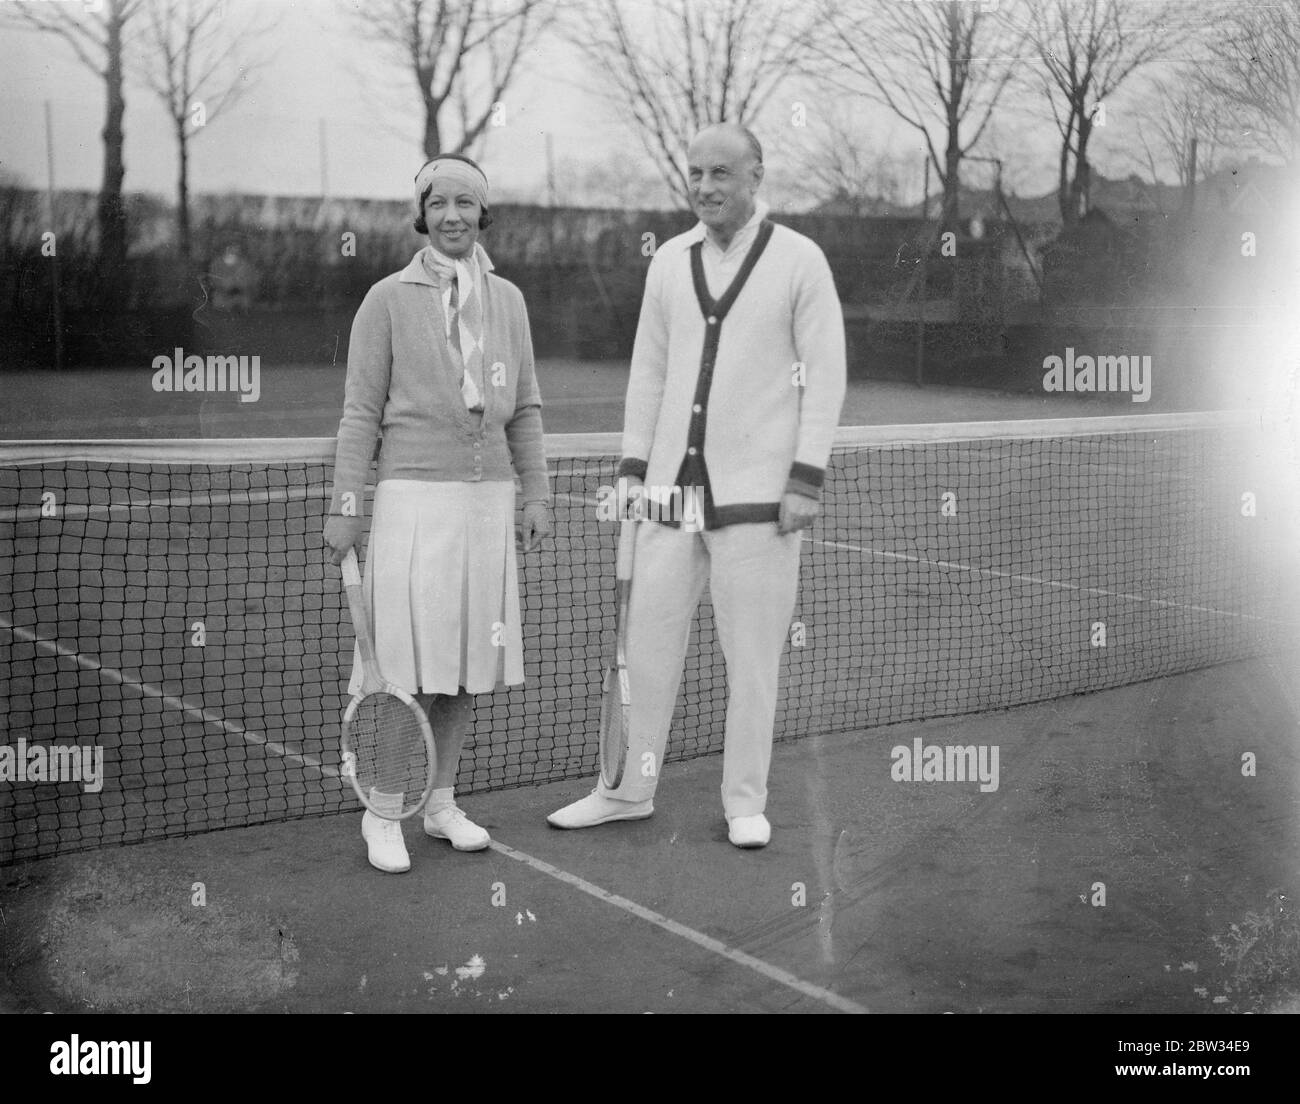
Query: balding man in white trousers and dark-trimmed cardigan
[(735, 393)]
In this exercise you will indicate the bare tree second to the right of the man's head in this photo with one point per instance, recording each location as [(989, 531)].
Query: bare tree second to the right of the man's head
[(1089, 51)]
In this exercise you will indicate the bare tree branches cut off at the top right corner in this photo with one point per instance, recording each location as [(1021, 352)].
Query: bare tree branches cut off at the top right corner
[(1254, 73)]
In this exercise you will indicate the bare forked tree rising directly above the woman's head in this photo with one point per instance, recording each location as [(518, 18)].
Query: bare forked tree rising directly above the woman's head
[(462, 55)]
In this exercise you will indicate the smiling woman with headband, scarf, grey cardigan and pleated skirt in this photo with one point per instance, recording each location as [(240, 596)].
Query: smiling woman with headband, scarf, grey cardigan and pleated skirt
[(441, 361)]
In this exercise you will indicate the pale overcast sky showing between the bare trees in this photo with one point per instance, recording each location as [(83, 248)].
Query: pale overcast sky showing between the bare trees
[(331, 114)]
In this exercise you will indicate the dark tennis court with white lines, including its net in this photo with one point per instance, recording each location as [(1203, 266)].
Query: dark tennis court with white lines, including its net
[(952, 594)]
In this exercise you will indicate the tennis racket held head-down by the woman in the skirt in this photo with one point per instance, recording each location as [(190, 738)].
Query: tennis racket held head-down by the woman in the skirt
[(388, 743)]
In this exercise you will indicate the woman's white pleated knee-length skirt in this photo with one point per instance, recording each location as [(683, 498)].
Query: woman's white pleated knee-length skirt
[(443, 587)]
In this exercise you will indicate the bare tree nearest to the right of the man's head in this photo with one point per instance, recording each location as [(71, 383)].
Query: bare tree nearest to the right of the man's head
[(942, 68)]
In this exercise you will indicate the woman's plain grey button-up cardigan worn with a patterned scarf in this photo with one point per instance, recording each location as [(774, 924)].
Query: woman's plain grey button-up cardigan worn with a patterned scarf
[(402, 383)]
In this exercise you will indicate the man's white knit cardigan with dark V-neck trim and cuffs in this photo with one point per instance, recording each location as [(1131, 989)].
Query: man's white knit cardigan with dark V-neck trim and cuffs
[(757, 393)]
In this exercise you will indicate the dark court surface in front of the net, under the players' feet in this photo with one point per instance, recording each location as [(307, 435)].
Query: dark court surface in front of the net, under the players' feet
[(916, 898)]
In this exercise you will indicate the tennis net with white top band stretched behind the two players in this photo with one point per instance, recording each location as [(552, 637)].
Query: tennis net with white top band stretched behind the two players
[(168, 605)]
